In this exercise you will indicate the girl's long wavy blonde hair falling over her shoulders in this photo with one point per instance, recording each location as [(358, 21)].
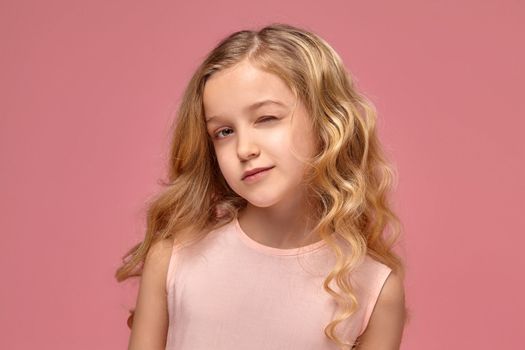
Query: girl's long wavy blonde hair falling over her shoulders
[(350, 179)]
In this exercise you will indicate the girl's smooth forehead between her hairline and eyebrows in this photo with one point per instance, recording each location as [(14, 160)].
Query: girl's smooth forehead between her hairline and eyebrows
[(242, 88)]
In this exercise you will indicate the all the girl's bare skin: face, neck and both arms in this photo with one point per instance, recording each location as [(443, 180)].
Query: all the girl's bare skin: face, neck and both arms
[(276, 210)]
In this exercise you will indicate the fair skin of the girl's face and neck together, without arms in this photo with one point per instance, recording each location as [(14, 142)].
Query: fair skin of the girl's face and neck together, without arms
[(246, 138)]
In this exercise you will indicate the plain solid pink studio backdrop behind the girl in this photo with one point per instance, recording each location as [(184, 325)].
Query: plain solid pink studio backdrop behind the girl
[(88, 90)]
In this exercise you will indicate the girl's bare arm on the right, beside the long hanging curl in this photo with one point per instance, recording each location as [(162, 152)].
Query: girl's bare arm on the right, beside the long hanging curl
[(385, 327)]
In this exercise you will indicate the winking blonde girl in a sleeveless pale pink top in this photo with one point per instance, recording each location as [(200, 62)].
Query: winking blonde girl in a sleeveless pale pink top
[(270, 231)]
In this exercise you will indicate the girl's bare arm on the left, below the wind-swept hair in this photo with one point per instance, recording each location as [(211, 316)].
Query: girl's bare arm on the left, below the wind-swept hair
[(150, 322)]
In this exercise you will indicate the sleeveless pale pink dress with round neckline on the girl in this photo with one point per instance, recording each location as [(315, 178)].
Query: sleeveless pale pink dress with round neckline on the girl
[(229, 291)]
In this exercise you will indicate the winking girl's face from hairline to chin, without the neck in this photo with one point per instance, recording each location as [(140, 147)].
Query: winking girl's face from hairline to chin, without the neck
[(250, 132)]
